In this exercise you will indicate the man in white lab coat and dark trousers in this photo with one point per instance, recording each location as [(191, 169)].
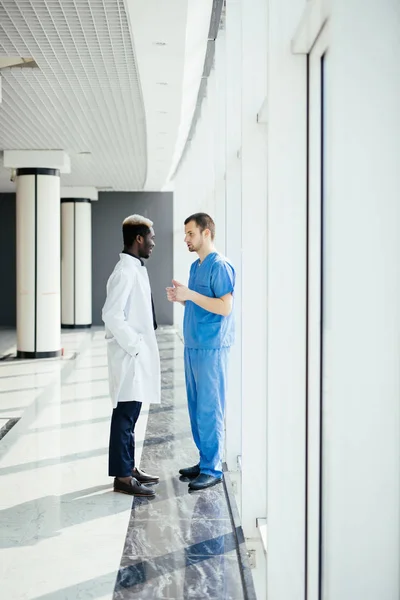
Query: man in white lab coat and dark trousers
[(132, 351)]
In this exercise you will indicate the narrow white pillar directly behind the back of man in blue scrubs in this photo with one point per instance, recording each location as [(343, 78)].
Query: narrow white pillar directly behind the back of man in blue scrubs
[(233, 236)]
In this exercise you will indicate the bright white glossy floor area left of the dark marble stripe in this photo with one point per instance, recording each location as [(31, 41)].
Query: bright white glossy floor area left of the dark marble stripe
[(61, 524)]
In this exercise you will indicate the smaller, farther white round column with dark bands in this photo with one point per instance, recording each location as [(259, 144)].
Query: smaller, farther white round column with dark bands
[(76, 263)]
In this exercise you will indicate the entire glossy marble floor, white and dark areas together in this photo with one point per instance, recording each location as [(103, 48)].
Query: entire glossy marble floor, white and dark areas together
[(64, 534)]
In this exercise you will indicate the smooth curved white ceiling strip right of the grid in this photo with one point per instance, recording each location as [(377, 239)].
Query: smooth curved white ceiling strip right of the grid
[(170, 52)]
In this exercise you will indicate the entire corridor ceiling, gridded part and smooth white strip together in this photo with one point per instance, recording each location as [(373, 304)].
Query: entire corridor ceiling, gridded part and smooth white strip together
[(113, 83)]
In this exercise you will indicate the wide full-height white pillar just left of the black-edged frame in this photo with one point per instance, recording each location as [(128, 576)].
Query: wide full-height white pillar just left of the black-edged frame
[(286, 309)]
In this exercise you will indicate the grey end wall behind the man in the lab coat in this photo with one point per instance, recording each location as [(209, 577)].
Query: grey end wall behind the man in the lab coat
[(107, 216)]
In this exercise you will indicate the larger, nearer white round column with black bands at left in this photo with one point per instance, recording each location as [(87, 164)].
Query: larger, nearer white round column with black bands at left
[(38, 263)]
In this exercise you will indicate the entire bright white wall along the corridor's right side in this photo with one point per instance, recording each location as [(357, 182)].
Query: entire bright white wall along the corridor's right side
[(359, 547)]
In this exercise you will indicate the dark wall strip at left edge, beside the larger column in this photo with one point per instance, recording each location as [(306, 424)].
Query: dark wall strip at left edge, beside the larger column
[(8, 309)]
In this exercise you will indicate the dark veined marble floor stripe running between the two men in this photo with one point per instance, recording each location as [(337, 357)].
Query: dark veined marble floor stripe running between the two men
[(179, 545)]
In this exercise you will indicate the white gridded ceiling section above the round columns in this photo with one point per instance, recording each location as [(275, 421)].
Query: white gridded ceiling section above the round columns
[(85, 95)]
